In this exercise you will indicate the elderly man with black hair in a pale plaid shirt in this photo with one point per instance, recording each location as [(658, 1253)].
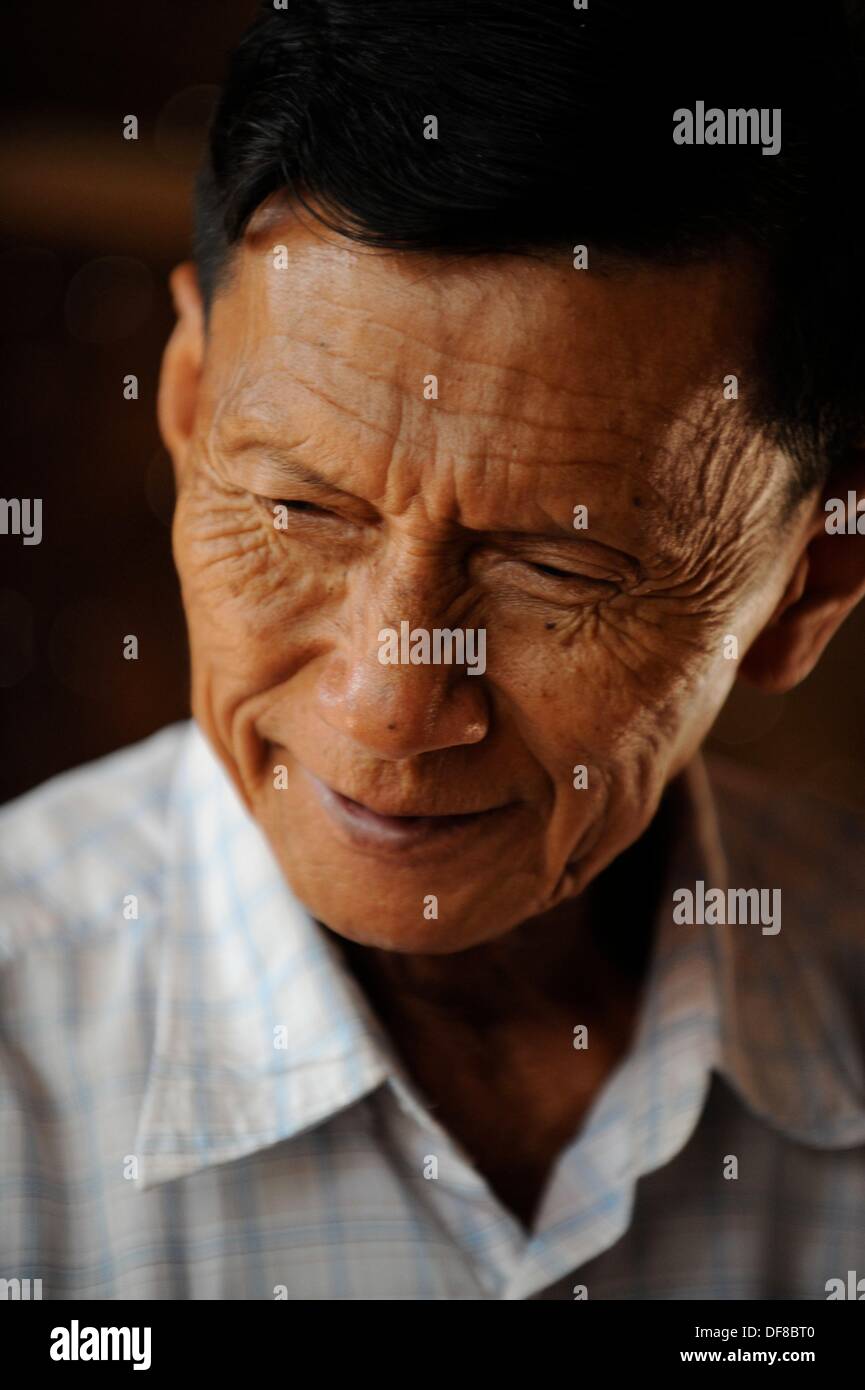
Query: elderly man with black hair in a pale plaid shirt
[(432, 961)]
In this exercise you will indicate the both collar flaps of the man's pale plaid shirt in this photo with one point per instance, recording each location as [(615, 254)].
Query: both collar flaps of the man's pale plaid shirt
[(262, 1032)]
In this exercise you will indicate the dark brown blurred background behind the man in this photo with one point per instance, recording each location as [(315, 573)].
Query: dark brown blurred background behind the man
[(91, 224)]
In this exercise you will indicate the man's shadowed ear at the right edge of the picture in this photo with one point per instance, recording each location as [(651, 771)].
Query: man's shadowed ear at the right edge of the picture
[(825, 586)]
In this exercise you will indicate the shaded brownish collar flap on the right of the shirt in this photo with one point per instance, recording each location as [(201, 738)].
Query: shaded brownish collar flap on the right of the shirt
[(789, 1046)]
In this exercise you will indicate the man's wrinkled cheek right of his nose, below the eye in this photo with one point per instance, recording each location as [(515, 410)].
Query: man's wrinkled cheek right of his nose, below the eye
[(610, 704)]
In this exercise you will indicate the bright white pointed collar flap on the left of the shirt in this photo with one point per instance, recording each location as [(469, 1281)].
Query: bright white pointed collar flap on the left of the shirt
[(261, 1032)]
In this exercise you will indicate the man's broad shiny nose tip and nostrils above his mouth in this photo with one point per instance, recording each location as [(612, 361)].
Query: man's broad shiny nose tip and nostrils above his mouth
[(400, 711)]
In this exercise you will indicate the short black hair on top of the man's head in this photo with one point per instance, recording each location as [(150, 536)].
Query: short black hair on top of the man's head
[(556, 129)]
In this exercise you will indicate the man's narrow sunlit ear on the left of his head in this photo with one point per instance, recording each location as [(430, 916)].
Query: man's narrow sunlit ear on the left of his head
[(181, 370)]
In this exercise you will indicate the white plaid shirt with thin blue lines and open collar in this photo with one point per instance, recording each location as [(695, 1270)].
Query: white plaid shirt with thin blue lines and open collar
[(198, 1102)]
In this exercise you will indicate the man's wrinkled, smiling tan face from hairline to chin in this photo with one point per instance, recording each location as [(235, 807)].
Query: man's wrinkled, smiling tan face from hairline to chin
[(604, 646)]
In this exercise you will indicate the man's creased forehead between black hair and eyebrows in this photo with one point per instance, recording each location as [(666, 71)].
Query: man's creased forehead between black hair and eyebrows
[(396, 363)]
